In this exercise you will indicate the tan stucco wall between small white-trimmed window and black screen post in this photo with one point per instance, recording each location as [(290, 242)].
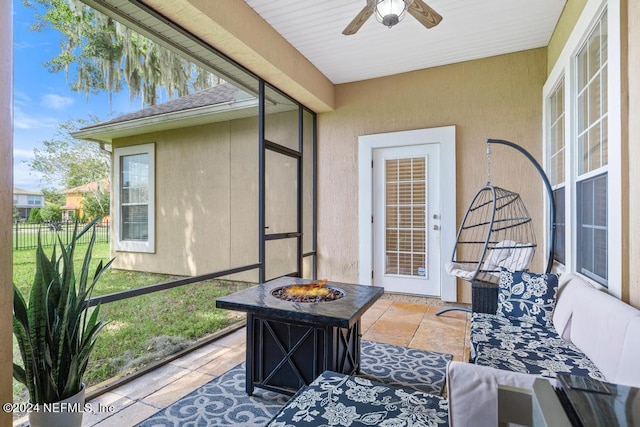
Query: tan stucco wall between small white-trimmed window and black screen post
[(195, 200)]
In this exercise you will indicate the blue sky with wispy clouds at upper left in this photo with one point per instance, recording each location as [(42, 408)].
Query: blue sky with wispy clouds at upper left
[(42, 100)]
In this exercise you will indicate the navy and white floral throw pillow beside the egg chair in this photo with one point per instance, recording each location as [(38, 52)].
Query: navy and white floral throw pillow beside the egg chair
[(528, 297)]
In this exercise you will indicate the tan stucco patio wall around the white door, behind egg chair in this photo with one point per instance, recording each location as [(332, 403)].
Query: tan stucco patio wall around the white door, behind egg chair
[(497, 97)]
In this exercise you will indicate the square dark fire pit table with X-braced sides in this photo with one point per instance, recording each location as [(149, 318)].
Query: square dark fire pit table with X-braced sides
[(290, 342)]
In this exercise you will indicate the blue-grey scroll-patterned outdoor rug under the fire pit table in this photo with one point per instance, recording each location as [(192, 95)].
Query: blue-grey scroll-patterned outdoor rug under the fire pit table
[(224, 402)]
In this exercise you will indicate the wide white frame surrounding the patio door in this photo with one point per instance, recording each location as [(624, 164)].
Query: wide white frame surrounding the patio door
[(446, 137)]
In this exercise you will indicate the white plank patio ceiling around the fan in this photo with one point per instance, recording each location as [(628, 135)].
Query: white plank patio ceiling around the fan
[(470, 29)]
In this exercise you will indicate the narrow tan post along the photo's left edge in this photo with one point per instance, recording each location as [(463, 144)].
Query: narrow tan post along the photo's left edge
[(6, 203)]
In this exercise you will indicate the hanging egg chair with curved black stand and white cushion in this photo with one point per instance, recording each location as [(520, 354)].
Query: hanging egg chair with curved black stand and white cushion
[(496, 232)]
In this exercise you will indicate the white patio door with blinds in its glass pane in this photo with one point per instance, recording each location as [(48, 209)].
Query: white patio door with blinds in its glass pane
[(406, 219)]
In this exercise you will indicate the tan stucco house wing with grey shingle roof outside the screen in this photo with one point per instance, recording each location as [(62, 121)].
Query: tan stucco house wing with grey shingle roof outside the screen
[(184, 183)]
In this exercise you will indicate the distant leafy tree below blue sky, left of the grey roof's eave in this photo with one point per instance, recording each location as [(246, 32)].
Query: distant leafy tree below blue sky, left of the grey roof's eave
[(69, 162)]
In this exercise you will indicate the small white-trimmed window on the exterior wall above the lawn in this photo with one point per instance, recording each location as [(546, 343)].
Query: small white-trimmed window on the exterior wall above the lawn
[(134, 198)]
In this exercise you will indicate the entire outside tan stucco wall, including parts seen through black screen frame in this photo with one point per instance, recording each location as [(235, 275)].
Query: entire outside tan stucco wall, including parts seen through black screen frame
[(206, 191)]
